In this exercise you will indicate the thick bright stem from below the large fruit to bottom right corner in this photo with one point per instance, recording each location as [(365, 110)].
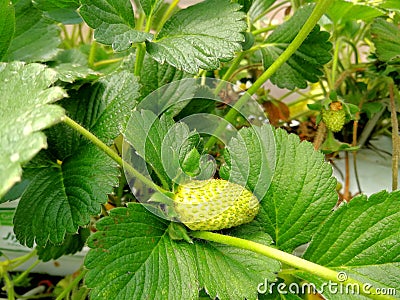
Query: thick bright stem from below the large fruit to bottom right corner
[(285, 258)]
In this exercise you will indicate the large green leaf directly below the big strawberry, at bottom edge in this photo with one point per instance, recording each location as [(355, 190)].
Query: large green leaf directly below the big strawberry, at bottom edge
[(166, 269)]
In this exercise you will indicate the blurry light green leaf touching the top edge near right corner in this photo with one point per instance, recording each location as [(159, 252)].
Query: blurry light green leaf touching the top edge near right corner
[(341, 12)]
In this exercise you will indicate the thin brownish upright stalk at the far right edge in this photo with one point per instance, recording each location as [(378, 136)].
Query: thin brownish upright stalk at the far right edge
[(395, 139)]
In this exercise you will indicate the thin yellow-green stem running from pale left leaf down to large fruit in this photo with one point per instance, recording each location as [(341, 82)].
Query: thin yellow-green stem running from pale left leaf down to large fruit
[(95, 140)]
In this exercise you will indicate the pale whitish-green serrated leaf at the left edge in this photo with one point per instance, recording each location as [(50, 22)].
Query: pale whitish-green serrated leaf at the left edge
[(25, 110)]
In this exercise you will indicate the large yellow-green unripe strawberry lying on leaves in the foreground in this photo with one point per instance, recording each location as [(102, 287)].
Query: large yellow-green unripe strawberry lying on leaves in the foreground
[(214, 204)]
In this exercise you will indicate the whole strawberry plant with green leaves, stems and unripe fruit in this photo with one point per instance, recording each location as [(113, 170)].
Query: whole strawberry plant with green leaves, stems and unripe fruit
[(121, 130)]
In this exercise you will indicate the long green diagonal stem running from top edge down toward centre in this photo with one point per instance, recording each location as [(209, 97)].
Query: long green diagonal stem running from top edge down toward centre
[(316, 14)]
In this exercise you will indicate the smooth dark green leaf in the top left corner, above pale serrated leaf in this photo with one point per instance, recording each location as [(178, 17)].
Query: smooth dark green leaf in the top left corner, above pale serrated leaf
[(35, 38)]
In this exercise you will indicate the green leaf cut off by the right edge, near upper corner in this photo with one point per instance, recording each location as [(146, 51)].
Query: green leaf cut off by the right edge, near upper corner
[(386, 37)]
